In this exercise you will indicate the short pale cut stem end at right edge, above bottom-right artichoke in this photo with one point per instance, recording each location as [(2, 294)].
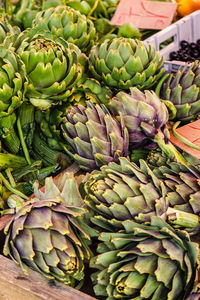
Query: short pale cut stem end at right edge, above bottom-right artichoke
[(182, 218)]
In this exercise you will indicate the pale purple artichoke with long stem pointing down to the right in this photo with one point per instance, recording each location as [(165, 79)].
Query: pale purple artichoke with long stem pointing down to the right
[(146, 117)]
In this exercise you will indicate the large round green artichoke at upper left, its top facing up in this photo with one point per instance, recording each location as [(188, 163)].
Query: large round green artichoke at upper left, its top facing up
[(53, 69)]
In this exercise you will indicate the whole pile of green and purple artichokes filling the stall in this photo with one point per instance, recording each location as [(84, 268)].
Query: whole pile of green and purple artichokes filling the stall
[(92, 100)]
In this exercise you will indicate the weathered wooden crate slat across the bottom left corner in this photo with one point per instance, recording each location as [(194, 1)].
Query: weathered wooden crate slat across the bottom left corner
[(14, 285)]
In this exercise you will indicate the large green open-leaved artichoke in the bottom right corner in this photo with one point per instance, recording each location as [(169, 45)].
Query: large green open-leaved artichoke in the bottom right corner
[(145, 262)]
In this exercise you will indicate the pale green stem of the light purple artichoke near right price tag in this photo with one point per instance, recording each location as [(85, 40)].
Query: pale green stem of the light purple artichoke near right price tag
[(169, 149)]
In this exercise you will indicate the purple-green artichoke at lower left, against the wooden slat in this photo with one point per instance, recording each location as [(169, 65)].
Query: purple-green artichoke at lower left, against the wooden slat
[(46, 233)]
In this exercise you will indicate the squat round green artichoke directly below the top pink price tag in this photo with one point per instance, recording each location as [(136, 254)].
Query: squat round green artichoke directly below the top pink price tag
[(123, 63)]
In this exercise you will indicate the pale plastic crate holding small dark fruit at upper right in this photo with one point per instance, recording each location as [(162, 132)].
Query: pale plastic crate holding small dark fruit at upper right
[(188, 28)]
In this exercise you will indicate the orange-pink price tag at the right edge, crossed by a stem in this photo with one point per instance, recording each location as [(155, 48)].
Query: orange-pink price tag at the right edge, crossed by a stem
[(191, 132)]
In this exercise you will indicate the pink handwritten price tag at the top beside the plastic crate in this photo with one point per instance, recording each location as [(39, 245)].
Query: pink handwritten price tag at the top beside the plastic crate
[(144, 14)]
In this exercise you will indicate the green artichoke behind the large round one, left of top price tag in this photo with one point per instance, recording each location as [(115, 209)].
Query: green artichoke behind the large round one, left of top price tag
[(69, 24)]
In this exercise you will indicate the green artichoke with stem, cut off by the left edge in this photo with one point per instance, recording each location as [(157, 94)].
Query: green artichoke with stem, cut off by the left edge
[(13, 86)]
